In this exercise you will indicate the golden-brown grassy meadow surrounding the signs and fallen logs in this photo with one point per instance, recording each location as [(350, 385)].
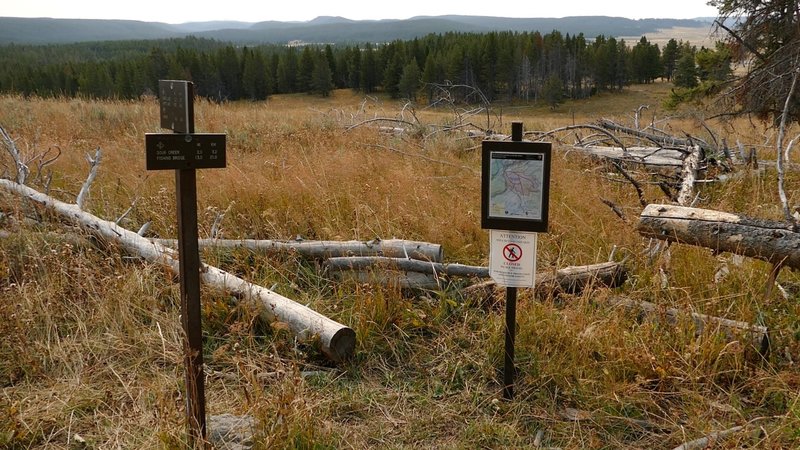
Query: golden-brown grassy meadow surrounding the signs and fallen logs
[(91, 356)]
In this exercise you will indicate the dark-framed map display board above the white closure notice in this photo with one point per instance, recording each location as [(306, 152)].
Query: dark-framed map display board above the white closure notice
[(515, 185)]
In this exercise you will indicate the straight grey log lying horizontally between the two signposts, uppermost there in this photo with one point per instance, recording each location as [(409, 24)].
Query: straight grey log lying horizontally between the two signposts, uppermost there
[(395, 248)]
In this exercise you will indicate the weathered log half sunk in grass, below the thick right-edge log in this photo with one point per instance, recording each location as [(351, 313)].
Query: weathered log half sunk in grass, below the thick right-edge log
[(758, 335)]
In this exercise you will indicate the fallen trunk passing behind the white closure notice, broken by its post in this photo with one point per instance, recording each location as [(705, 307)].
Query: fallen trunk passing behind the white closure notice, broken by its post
[(570, 279)]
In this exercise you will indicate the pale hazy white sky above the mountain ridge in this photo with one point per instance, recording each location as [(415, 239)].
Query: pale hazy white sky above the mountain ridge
[(174, 11)]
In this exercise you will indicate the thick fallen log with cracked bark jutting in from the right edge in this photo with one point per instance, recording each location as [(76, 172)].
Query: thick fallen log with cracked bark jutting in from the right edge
[(767, 240)]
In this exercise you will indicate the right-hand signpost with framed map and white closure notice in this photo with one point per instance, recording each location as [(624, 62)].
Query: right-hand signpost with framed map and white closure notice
[(515, 192)]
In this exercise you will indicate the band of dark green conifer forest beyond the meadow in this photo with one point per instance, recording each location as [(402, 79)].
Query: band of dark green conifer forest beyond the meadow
[(471, 66)]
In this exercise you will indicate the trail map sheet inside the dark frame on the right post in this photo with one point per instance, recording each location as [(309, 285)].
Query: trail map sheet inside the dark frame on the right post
[(515, 185)]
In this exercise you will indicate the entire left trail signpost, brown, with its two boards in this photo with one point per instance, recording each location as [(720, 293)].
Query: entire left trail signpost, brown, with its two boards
[(184, 151)]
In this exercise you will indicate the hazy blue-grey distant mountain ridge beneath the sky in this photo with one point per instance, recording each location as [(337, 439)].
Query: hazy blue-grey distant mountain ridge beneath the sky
[(324, 29)]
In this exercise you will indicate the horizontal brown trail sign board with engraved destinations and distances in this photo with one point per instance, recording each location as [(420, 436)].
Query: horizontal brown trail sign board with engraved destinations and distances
[(185, 151)]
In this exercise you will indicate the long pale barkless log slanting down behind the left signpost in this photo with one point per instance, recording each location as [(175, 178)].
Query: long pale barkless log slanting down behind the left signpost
[(337, 341)]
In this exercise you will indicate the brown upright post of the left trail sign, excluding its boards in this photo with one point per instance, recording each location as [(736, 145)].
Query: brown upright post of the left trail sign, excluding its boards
[(189, 261)]
